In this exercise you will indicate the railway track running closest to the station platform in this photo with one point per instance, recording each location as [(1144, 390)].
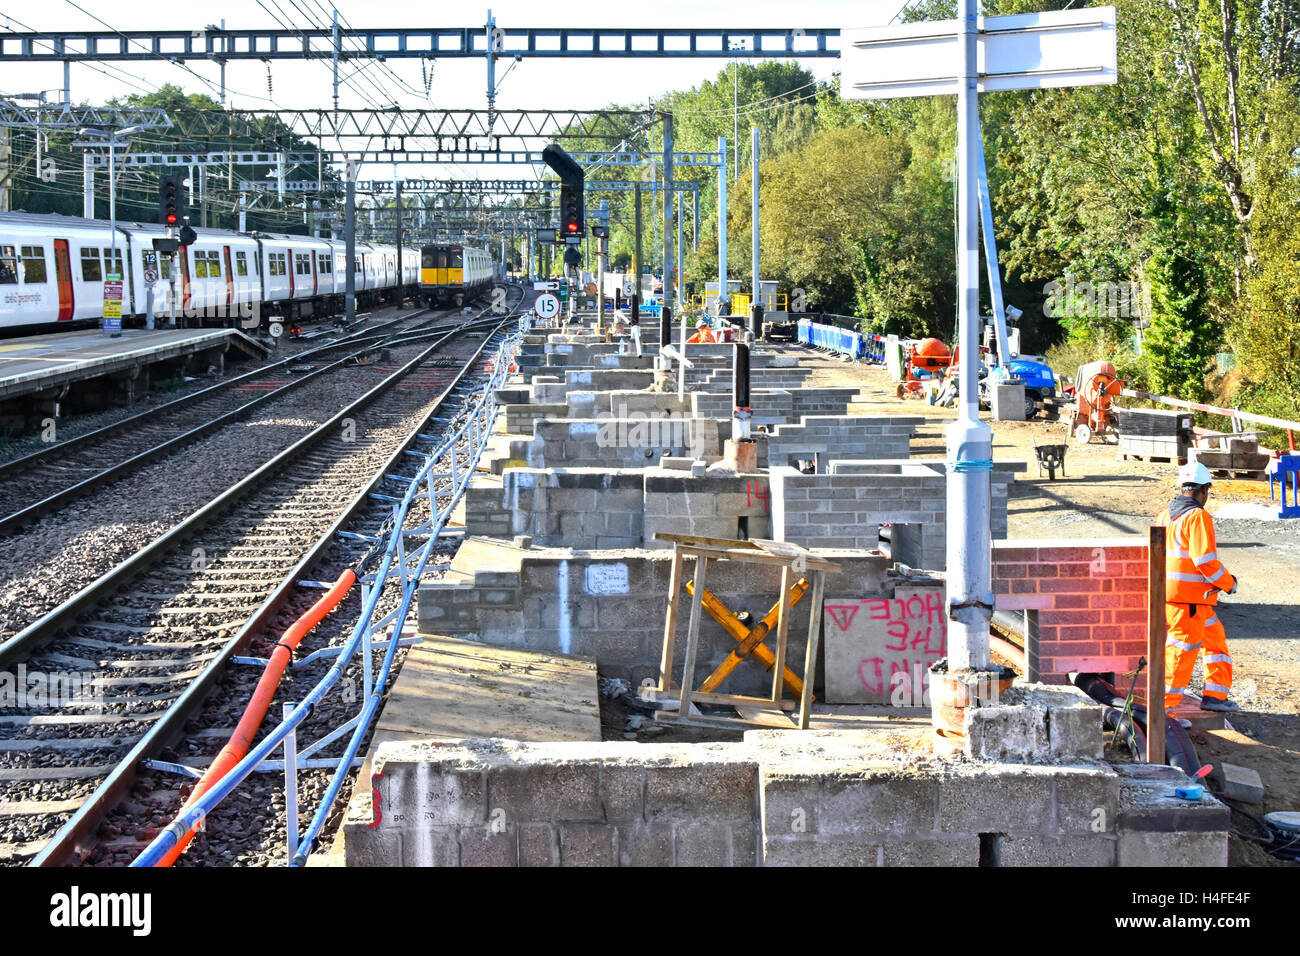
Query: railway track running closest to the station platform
[(47, 481)]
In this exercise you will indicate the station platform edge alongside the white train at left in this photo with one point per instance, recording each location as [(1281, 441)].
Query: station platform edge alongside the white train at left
[(36, 365)]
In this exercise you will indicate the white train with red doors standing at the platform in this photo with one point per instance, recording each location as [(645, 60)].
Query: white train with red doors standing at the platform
[(53, 274)]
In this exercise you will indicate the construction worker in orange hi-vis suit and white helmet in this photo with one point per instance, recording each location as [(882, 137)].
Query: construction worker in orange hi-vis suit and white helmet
[(1194, 579)]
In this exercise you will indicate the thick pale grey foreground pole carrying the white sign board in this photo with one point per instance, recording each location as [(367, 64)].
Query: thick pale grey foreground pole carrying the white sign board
[(970, 442)]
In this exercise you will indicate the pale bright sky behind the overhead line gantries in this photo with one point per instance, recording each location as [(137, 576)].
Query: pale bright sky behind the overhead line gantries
[(457, 84)]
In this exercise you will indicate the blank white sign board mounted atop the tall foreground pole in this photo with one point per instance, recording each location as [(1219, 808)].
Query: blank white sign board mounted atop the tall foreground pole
[(1025, 51)]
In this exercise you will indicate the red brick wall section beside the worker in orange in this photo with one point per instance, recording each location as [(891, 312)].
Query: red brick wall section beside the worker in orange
[(1090, 596)]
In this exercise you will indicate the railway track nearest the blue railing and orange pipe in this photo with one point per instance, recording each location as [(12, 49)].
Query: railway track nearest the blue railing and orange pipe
[(153, 637)]
